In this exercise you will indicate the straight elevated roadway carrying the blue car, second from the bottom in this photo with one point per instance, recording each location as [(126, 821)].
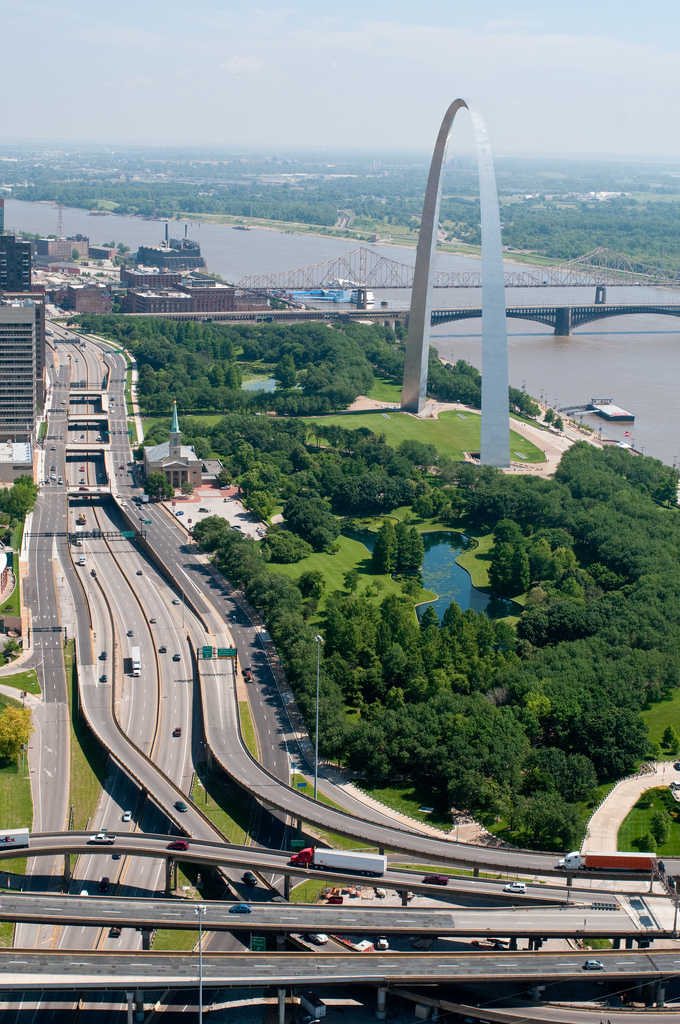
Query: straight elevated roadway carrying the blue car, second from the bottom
[(563, 922)]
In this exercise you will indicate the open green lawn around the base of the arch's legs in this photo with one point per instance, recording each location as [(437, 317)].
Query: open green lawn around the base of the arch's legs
[(451, 436)]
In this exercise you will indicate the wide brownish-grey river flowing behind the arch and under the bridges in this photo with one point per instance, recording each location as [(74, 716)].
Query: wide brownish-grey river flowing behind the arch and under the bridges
[(634, 361)]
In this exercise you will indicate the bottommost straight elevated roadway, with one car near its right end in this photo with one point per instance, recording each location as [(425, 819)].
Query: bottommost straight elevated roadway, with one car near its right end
[(28, 970)]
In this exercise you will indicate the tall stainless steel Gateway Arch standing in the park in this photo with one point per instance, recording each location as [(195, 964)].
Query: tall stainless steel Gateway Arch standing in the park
[(495, 413)]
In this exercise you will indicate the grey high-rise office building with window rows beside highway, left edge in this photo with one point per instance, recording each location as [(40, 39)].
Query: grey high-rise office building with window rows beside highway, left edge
[(18, 370)]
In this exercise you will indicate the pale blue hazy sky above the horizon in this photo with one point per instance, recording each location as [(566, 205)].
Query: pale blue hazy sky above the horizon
[(585, 76)]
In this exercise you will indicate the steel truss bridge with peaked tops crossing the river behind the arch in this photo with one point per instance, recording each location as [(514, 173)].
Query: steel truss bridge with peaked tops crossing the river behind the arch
[(367, 269)]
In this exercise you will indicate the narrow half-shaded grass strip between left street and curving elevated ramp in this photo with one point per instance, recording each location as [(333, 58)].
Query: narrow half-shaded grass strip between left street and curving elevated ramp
[(89, 758)]
